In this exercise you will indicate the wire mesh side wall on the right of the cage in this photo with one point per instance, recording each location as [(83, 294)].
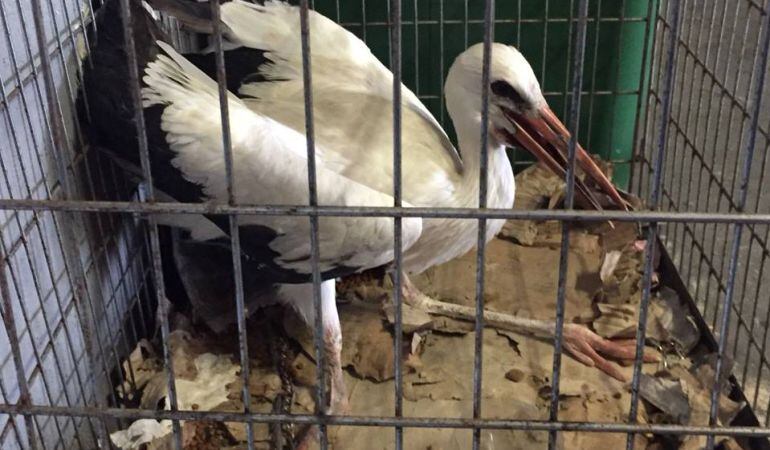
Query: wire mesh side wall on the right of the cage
[(718, 93)]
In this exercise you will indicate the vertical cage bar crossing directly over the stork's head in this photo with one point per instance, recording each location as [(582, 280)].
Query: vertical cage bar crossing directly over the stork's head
[(489, 32)]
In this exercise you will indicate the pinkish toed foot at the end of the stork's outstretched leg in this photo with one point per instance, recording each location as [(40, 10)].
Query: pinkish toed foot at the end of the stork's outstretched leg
[(588, 348)]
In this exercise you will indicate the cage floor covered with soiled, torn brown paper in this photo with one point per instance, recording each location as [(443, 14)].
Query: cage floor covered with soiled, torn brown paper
[(521, 278)]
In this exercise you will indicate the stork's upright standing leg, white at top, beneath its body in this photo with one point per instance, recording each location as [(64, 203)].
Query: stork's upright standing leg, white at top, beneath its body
[(300, 297)]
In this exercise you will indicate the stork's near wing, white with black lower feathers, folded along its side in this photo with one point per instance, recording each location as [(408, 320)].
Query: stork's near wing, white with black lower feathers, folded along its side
[(269, 167)]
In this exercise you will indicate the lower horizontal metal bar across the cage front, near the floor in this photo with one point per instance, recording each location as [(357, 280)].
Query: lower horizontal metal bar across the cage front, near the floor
[(380, 421)]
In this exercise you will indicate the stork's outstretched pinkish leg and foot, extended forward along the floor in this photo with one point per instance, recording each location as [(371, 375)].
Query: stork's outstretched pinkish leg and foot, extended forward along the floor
[(579, 341)]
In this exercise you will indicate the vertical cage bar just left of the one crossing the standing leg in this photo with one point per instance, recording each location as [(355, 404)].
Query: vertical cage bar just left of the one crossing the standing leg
[(235, 242)]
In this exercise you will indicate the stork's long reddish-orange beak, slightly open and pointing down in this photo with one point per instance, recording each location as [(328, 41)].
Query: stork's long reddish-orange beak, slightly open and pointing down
[(546, 137)]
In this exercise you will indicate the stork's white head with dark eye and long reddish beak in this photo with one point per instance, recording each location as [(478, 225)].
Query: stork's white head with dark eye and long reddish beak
[(518, 113)]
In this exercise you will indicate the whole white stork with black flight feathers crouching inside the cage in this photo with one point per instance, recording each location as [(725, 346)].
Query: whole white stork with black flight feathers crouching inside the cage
[(352, 93)]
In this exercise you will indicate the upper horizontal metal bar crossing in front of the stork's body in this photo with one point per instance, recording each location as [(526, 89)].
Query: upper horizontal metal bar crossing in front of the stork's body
[(123, 207)]
